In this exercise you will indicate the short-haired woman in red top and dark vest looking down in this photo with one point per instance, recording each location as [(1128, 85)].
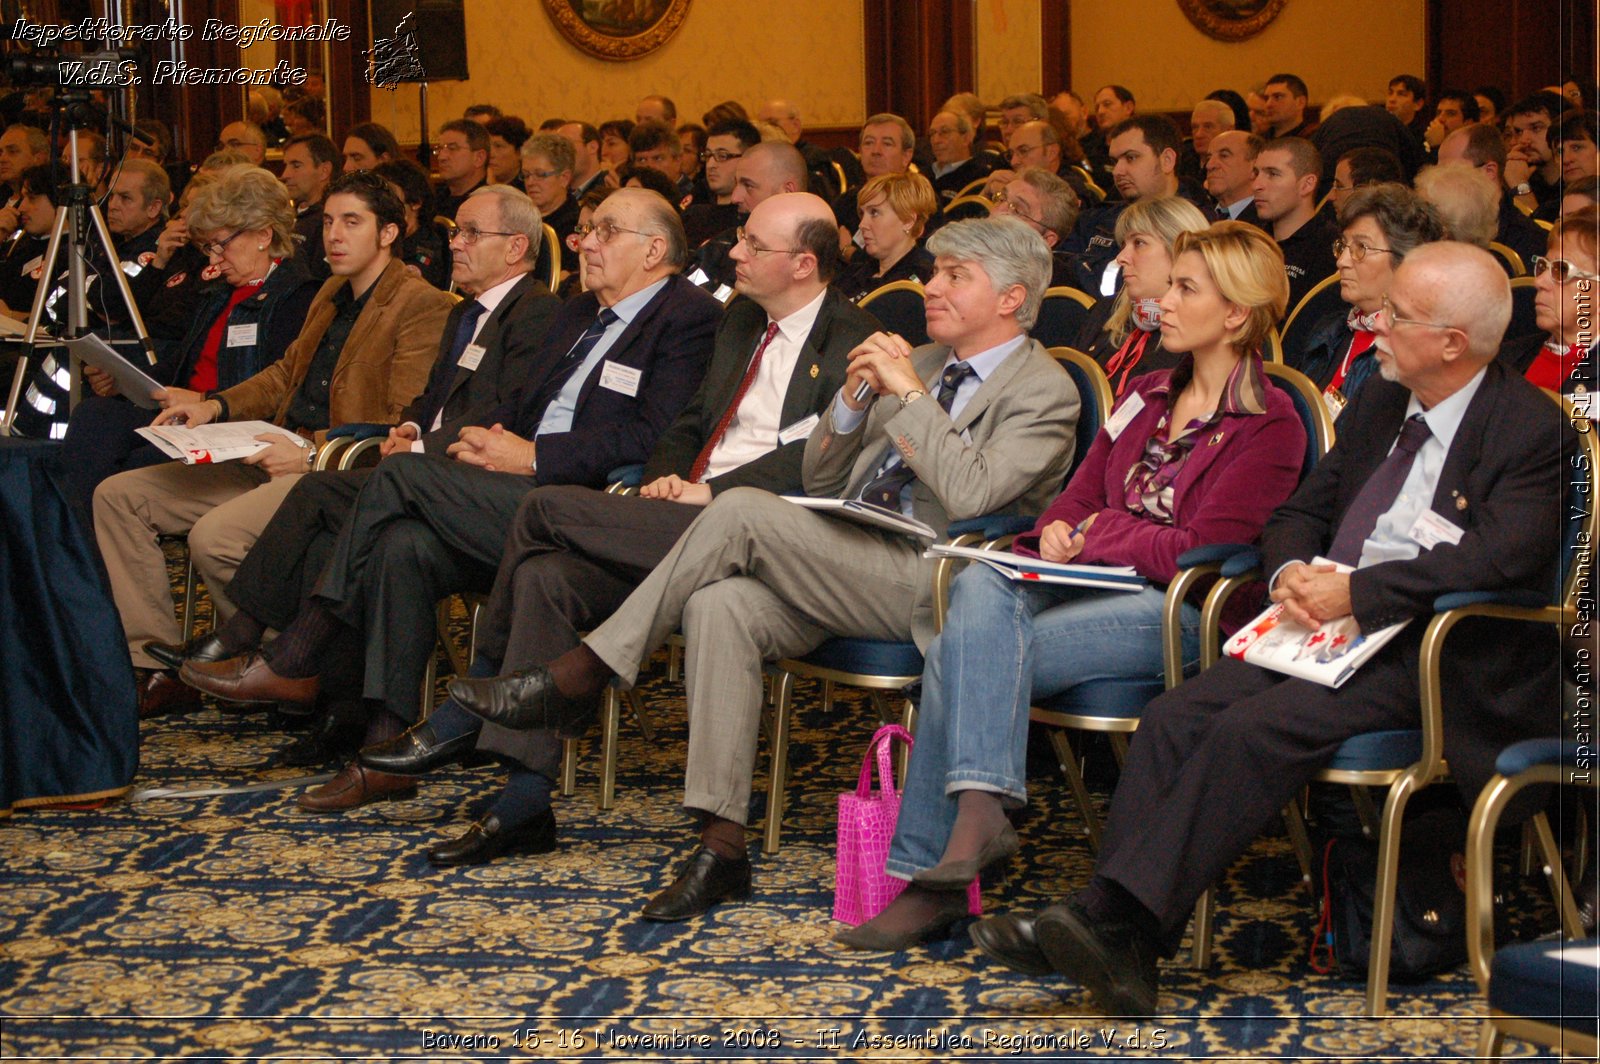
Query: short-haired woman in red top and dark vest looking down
[(249, 308)]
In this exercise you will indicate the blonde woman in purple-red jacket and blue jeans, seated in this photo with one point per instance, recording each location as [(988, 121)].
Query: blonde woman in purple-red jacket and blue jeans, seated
[(1196, 455)]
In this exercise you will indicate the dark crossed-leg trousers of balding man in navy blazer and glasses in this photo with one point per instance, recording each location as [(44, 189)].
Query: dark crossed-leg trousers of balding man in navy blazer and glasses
[(425, 527)]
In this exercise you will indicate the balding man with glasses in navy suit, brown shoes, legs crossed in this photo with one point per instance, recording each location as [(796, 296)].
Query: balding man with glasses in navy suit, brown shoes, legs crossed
[(625, 359)]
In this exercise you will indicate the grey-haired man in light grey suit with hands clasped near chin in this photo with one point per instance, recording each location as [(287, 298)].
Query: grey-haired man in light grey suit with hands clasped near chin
[(980, 422)]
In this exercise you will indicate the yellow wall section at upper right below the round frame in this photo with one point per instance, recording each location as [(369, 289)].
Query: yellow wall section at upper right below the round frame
[(1337, 46)]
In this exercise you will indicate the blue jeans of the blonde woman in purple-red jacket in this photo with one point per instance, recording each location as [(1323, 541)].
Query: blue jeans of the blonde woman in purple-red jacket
[(1006, 646)]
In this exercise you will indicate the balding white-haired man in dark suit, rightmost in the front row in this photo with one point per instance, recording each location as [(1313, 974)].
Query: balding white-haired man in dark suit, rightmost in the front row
[(1447, 478)]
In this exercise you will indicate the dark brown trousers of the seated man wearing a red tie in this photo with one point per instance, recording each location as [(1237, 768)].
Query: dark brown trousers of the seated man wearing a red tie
[(572, 559)]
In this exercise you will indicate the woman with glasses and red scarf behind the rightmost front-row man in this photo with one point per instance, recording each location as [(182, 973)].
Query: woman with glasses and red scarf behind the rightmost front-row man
[(1380, 225)]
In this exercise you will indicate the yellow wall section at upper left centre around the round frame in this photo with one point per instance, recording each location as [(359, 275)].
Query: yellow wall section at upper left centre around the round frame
[(810, 54)]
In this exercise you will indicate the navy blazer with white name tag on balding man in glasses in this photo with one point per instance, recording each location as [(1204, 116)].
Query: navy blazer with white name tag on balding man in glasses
[(670, 342)]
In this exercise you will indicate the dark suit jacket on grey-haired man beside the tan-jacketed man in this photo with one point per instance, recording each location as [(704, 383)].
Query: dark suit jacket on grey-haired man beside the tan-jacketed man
[(514, 353)]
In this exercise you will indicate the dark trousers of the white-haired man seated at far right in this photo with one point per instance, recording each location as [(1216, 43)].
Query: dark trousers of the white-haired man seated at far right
[(1217, 759)]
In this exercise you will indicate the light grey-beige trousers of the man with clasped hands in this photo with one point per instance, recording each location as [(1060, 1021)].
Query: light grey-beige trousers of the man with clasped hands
[(754, 580)]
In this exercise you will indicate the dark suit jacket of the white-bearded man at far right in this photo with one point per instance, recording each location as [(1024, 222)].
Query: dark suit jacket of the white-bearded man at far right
[(1502, 486)]
